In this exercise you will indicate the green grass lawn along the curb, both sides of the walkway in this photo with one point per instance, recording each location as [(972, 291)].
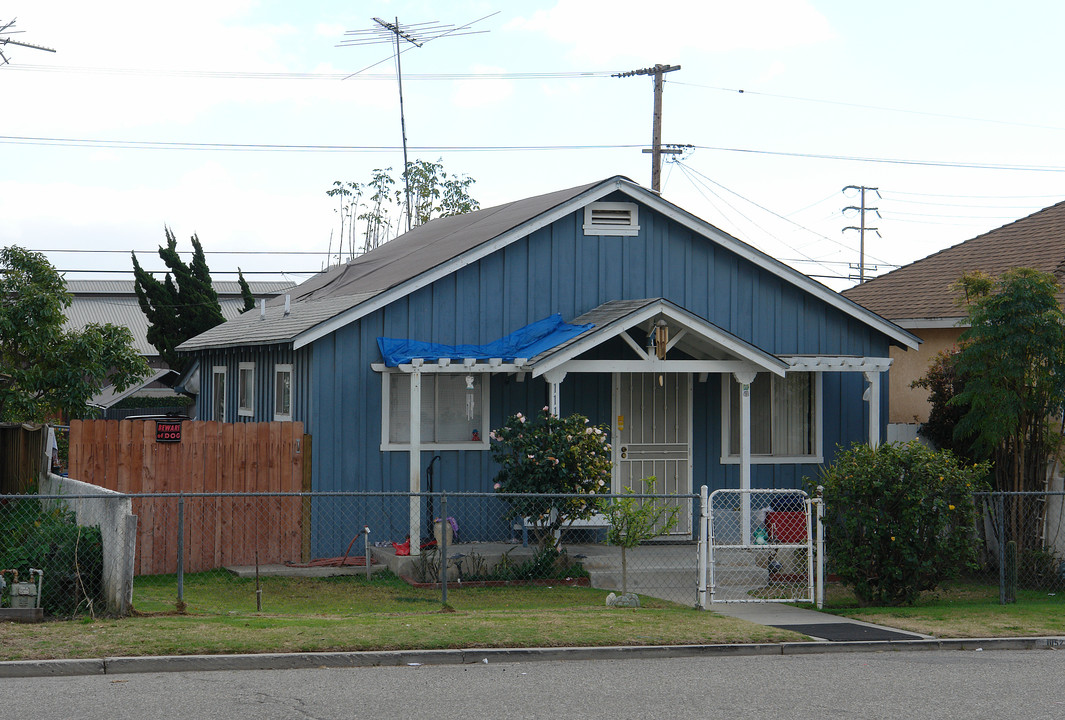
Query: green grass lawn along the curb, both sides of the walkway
[(351, 614)]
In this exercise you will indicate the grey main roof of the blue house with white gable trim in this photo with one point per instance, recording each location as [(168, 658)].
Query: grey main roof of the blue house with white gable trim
[(444, 247)]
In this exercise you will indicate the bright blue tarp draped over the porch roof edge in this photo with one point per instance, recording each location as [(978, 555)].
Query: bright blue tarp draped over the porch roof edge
[(528, 342)]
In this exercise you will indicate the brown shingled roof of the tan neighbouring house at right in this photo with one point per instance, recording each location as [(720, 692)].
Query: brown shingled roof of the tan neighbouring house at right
[(922, 290)]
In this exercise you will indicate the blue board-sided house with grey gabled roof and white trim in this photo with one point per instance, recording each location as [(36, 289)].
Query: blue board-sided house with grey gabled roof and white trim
[(712, 363)]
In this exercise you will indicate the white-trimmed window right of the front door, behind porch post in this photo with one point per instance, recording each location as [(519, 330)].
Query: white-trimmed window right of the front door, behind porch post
[(785, 418)]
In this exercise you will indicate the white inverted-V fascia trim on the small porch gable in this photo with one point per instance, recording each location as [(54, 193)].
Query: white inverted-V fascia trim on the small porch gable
[(748, 354)]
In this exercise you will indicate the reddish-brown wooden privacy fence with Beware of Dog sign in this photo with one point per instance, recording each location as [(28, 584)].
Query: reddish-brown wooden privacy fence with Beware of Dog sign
[(211, 457)]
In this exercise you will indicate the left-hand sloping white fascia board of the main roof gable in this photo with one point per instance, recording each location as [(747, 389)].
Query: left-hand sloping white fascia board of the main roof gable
[(455, 265)]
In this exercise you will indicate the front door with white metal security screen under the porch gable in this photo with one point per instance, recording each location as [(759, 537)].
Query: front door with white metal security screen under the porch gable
[(652, 431)]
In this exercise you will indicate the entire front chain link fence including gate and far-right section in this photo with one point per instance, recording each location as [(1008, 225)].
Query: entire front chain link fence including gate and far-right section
[(211, 552)]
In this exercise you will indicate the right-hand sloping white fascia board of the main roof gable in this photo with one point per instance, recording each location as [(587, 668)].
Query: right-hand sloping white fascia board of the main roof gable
[(772, 266)]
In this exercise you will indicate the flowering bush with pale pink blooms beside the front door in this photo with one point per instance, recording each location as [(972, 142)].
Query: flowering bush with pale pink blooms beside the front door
[(552, 456)]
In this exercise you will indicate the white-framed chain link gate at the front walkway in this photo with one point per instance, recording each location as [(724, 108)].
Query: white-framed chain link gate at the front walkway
[(761, 546)]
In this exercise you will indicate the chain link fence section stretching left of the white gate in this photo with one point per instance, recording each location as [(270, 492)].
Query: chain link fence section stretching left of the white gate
[(216, 552)]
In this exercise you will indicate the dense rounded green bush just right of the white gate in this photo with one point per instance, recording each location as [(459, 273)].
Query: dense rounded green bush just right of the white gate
[(900, 520)]
